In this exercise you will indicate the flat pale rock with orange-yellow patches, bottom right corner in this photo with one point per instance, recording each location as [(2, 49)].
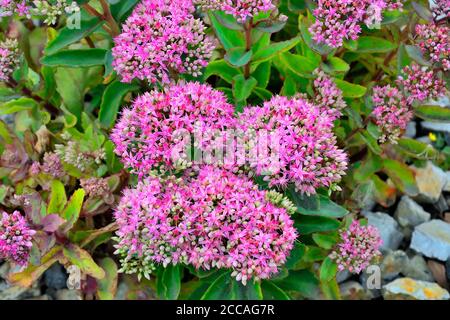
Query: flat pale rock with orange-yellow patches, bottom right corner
[(410, 289)]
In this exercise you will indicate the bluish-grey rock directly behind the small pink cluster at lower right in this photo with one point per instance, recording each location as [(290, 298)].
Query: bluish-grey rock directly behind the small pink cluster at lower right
[(388, 228)]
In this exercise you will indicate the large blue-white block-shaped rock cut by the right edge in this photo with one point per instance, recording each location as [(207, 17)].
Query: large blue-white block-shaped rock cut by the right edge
[(432, 239)]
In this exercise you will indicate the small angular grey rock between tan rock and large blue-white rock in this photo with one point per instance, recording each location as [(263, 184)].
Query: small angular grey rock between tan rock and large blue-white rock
[(410, 214)]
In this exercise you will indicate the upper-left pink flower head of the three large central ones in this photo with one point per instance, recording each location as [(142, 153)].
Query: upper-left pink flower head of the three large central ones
[(146, 135)]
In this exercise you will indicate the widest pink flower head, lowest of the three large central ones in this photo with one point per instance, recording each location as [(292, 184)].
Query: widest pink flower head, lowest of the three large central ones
[(213, 219)]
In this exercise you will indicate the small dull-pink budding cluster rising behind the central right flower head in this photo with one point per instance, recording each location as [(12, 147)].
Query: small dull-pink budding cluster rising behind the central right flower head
[(327, 95)]
